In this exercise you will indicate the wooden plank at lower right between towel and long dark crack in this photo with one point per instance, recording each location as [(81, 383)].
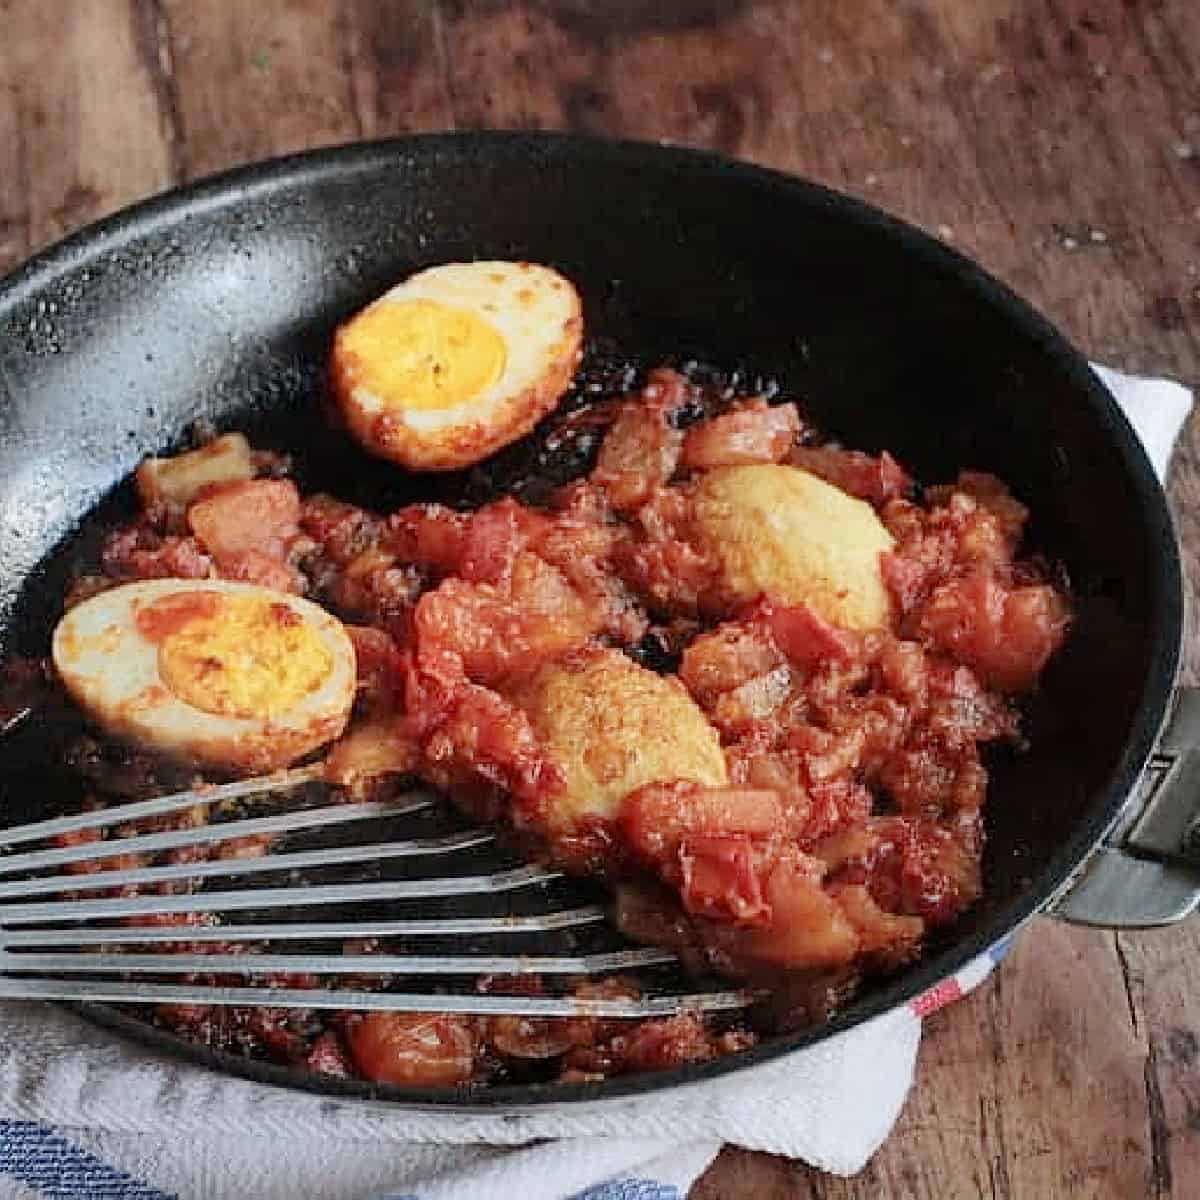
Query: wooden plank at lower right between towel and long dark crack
[(1023, 1090)]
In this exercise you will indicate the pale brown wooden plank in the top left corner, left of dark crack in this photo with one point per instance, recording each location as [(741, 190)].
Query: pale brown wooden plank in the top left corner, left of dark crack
[(81, 112)]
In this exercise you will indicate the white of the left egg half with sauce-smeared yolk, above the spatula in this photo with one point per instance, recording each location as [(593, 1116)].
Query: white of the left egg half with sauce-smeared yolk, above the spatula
[(112, 670)]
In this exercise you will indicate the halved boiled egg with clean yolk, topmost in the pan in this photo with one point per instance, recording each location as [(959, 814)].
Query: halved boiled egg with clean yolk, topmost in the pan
[(458, 362)]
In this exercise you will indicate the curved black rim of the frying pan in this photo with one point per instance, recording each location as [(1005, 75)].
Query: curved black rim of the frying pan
[(289, 175)]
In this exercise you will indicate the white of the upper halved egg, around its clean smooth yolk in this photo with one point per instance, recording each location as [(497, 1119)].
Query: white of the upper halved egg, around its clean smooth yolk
[(537, 314)]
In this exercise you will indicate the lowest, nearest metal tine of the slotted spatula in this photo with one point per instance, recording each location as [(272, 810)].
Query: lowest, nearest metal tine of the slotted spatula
[(365, 1001)]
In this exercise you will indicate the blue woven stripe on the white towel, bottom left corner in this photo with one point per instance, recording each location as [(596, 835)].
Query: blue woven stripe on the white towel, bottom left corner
[(41, 1159)]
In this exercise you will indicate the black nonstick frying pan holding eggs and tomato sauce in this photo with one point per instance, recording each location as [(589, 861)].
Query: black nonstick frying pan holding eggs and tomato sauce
[(218, 301)]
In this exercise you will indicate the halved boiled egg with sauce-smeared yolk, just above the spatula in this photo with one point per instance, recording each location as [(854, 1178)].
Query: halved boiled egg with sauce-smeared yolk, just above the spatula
[(226, 675)]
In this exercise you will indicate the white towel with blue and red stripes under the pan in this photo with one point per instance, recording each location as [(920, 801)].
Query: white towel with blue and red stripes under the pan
[(87, 1115)]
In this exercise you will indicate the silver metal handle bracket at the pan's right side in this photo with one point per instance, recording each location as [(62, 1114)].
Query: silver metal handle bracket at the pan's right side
[(1147, 872)]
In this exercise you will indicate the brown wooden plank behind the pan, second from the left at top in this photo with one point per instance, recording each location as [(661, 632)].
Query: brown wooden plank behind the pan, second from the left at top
[(259, 80)]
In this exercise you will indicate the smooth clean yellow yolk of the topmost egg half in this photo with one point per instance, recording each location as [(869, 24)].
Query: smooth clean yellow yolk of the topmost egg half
[(423, 355)]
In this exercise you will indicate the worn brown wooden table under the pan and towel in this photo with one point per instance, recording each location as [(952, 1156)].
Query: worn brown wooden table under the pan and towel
[(1057, 141)]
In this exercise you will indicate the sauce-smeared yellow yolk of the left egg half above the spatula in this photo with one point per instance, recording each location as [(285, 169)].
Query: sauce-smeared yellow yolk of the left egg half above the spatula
[(249, 658)]
